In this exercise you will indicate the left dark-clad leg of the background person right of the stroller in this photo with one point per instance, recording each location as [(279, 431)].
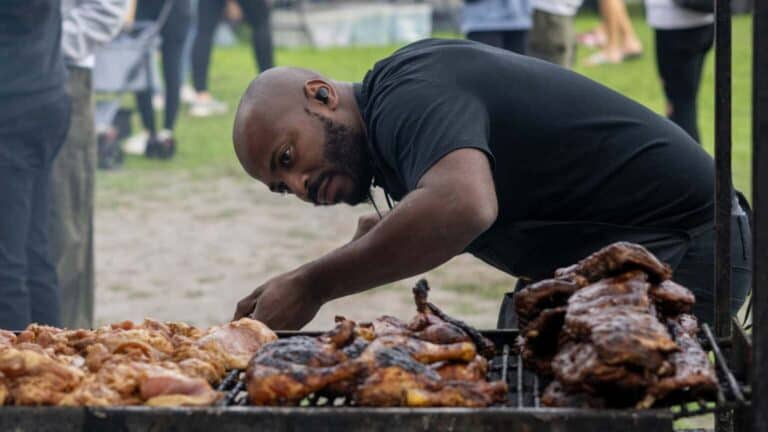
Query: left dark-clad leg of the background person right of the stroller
[(208, 16)]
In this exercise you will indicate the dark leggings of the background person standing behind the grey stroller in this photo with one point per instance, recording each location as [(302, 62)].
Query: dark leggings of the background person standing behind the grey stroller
[(173, 34)]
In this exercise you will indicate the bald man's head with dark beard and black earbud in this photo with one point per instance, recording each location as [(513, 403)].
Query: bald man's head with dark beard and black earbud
[(301, 133)]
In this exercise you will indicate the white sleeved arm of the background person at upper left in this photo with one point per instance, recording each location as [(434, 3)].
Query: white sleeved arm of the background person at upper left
[(90, 24)]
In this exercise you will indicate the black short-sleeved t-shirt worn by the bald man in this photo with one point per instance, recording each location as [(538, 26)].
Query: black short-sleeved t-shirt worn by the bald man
[(575, 164)]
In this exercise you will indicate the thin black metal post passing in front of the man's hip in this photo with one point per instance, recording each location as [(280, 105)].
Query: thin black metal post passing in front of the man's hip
[(723, 184)]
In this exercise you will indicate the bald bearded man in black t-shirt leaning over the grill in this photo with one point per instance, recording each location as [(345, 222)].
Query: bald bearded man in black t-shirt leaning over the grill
[(524, 164)]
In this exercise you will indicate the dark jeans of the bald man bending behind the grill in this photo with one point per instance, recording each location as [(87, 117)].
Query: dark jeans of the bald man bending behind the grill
[(695, 270)]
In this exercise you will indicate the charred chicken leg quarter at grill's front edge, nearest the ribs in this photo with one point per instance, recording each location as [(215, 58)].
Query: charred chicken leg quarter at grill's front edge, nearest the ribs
[(394, 378)]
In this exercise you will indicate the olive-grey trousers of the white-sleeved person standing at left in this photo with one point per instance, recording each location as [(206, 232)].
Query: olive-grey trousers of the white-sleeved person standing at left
[(71, 220)]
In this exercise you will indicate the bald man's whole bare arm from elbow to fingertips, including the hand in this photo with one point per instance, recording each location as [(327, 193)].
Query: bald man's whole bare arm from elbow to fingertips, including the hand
[(454, 202)]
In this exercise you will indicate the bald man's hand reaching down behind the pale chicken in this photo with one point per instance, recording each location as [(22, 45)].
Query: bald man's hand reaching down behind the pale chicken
[(283, 303)]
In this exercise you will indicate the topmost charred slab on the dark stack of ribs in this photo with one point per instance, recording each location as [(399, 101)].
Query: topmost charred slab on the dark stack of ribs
[(615, 259)]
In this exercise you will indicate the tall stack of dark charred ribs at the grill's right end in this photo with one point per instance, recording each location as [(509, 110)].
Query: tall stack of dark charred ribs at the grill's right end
[(613, 330)]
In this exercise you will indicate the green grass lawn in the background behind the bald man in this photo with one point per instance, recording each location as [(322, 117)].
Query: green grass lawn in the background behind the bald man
[(206, 145)]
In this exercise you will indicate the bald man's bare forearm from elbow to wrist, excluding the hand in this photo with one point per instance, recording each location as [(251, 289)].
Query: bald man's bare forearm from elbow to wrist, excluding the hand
[(454, 202)]
